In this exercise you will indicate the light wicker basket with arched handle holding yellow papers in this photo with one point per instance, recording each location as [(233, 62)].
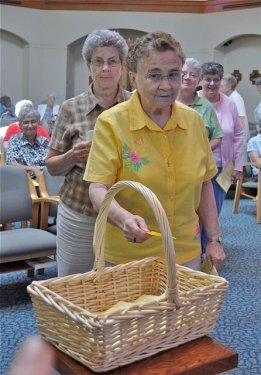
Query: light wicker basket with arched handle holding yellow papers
[(70, 310)]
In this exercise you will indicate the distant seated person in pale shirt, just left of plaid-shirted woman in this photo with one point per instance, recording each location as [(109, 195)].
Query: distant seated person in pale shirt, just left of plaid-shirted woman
[(48, 112)]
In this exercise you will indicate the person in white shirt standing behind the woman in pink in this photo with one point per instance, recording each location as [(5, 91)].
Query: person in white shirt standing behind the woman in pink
[(228, 87)]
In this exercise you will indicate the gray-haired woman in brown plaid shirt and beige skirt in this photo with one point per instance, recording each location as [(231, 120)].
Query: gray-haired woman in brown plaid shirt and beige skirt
[(104, 52)]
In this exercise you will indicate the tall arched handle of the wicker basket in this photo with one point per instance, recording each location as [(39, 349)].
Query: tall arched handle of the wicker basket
[(160, 215)]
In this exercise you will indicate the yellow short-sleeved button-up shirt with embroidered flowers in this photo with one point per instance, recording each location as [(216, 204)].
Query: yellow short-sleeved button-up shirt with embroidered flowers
[(173, 162)]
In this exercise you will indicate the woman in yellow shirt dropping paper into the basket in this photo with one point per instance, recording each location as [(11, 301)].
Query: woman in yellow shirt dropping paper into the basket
[(161, 143)]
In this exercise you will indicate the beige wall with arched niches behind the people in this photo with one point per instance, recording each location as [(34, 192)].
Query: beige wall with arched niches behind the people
[(41, 50)]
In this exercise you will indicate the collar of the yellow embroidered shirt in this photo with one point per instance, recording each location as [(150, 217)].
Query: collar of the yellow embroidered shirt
[(140, 120)]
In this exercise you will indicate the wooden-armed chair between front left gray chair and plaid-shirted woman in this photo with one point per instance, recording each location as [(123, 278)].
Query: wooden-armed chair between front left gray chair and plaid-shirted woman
[(49, 187)]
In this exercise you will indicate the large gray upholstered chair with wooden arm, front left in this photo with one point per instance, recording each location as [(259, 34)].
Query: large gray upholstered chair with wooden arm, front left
[(26, 248)]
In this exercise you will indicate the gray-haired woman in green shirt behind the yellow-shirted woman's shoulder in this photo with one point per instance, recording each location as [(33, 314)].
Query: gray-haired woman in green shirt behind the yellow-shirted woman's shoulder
[(191, 73)]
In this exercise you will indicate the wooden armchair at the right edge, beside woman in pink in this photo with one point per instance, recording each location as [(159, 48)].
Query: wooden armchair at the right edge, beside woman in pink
[(248, 188)]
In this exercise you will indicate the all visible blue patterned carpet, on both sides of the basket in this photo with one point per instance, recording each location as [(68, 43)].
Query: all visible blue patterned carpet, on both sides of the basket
[(239, 323)]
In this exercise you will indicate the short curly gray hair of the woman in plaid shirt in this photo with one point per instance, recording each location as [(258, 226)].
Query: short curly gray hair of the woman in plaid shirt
[(104, 38)]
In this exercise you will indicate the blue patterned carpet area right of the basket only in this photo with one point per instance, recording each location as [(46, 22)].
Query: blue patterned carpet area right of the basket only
[(239, 324)]
